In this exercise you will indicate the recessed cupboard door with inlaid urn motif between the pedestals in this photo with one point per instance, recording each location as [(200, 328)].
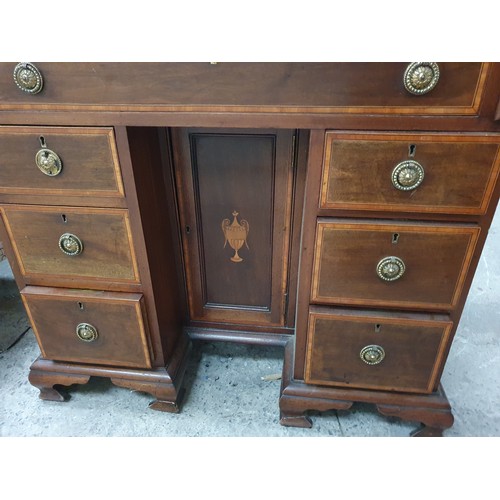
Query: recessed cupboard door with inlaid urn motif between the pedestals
[(235, 197)]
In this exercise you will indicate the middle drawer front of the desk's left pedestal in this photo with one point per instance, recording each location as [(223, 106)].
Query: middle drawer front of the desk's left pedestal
[(102, 236)]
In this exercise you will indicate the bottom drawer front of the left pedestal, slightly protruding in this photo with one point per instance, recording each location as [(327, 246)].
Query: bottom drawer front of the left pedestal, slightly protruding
[(89, 327)]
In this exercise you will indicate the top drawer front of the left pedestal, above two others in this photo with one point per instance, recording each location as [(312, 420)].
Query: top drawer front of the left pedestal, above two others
[(56, 161)]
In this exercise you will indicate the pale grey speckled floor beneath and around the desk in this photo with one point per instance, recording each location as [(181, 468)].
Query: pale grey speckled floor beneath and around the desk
[(228, 393)]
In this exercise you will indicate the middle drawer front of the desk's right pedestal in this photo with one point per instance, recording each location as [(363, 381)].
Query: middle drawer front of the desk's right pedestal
[(357, 262)]
